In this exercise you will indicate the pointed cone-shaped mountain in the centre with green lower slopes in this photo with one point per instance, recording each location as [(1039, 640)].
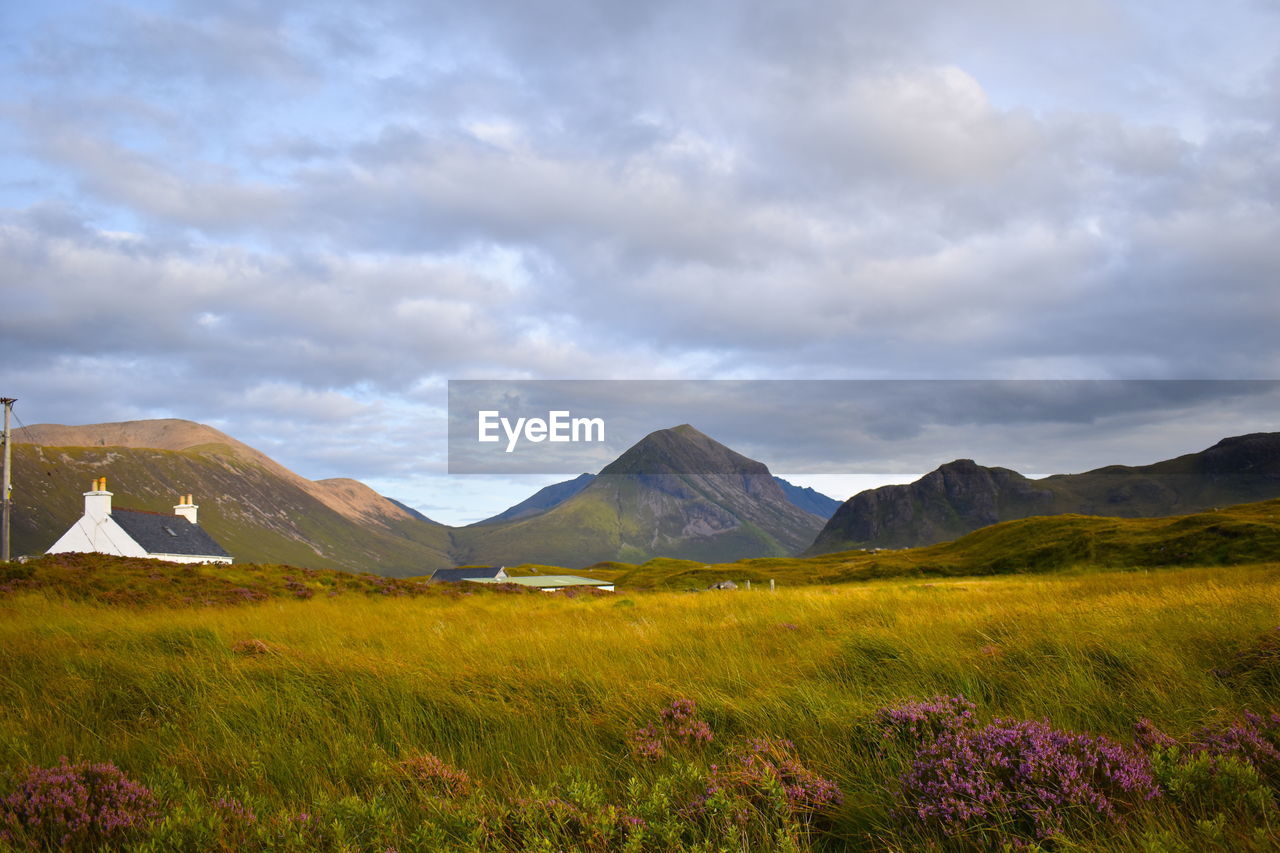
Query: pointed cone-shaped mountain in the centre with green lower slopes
[(676, 492)]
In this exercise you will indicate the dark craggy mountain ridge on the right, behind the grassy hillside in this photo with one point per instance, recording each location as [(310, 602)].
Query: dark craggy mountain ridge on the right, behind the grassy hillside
[(962, 496)]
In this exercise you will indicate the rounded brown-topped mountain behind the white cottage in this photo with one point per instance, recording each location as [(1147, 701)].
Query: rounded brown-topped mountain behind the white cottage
[(255, 508)]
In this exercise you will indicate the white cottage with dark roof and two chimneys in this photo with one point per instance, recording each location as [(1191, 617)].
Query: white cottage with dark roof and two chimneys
[(138, 533)]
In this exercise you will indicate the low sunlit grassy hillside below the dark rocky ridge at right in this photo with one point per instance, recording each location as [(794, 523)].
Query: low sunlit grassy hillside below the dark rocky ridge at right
[(1242, 535)]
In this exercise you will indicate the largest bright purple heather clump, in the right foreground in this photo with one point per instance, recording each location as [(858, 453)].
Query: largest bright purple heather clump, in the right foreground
[(1021, 779)]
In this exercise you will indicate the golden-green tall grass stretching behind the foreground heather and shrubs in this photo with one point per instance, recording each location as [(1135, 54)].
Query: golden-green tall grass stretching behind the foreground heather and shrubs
[(307, 706)]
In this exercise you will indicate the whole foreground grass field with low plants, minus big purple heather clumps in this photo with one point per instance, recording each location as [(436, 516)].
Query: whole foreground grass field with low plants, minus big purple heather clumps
[(381, 720)]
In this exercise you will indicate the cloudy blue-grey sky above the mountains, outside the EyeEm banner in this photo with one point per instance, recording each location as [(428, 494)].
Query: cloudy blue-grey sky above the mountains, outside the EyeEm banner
[(298, 222)]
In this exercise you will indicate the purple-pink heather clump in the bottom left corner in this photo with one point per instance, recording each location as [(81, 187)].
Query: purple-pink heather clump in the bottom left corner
[(81, 806)]
